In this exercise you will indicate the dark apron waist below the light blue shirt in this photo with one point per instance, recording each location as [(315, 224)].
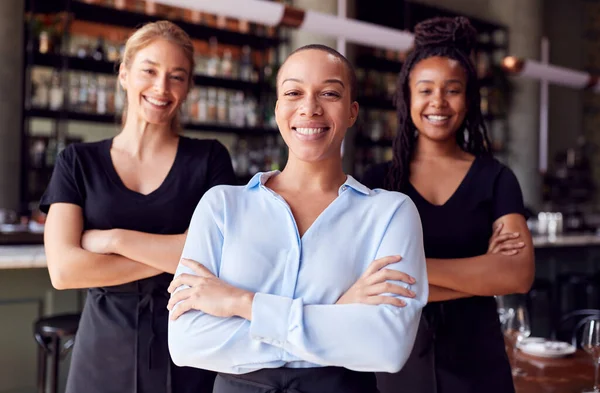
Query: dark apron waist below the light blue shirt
[(297, 380)]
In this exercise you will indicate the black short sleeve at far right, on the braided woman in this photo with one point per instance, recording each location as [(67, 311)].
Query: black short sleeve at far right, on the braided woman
[(508, 197)]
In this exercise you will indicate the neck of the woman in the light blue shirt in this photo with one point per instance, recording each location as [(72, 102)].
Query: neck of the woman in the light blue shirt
[(322, 176)]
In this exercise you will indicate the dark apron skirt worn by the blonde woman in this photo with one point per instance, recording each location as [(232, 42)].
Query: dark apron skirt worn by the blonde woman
[(121, 344)]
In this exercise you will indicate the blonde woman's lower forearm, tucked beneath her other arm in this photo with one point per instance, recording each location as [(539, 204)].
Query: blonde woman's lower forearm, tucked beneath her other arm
[(74, 268)]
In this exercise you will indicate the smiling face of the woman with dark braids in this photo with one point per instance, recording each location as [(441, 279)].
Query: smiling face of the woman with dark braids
[(438, 101)]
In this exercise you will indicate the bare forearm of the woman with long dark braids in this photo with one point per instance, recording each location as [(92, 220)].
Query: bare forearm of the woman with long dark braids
[(484, 275)]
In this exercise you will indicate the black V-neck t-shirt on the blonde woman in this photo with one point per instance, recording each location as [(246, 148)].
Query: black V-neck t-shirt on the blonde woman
[(85, 176)]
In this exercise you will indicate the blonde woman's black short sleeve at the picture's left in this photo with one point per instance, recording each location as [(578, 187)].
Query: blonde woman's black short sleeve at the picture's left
[(66, 184)]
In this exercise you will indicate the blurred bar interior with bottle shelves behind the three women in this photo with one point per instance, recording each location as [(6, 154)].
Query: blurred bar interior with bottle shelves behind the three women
[(58, 67)]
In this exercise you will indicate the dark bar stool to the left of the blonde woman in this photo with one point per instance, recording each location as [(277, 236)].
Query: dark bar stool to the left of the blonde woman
[(49, 333)]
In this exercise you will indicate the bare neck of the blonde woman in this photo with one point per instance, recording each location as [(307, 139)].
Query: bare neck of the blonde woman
[(139, 138)]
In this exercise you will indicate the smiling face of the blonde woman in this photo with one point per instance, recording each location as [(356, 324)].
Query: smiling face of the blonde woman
[(157, 81)]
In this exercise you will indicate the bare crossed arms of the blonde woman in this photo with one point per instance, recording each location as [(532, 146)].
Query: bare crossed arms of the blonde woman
[(103, 258)]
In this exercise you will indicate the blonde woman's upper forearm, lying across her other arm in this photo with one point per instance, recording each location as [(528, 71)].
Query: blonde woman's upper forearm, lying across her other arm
[(161, 252)]
